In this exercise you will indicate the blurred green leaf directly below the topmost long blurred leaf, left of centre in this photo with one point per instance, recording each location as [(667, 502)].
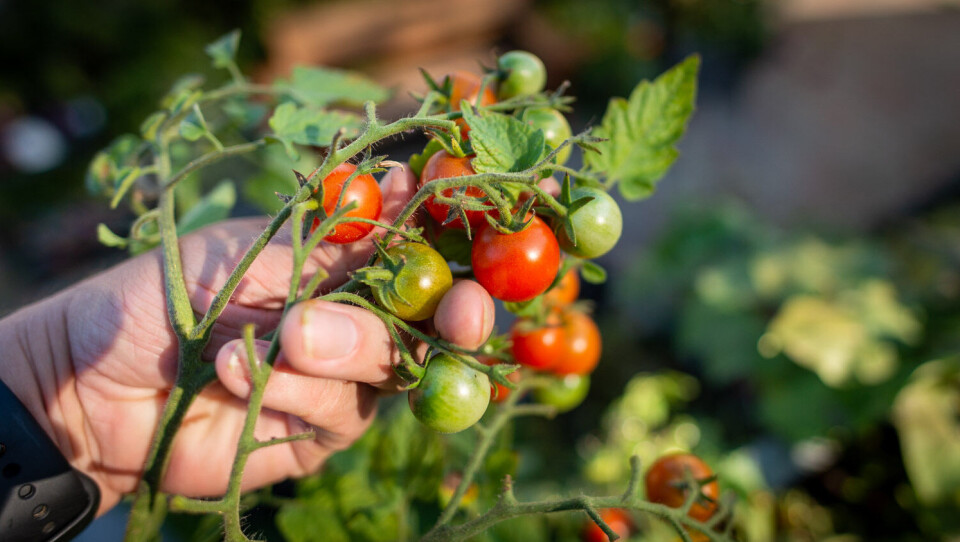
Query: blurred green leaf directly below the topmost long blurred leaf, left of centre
[(294, 125)]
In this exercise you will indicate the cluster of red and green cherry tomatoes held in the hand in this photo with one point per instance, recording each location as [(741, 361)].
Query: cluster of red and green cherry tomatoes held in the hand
[(516, 265)]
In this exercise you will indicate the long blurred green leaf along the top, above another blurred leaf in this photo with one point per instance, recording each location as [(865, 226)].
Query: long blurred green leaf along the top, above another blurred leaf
[(324, 86)]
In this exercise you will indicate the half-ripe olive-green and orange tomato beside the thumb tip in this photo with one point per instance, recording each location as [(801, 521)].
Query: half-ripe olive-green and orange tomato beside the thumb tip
[(419, 285)]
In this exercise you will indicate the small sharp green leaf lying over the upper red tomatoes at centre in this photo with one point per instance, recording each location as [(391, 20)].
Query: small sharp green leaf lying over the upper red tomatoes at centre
[(503, 143)]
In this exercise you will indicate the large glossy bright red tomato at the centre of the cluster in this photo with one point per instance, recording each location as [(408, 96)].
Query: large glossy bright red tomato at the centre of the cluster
[(517, 266)]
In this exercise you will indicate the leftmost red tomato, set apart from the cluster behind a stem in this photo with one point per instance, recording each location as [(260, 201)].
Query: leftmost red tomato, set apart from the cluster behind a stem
[(363, 190)]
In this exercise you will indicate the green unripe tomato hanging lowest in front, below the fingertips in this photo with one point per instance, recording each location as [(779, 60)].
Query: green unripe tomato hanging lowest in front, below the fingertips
[(451, 396)]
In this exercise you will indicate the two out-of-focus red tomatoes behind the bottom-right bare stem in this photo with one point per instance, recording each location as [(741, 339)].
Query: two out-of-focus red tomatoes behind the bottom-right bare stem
[(666, 483)]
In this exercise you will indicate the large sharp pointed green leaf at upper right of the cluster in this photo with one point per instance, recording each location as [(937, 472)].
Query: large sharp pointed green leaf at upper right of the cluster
[(641, 133)]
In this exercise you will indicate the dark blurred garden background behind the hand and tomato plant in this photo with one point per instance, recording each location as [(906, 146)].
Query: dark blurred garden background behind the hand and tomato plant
[(786, 304)]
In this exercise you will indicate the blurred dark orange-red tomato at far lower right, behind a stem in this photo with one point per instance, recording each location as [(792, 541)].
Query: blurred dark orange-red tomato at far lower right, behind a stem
[(665, 481)]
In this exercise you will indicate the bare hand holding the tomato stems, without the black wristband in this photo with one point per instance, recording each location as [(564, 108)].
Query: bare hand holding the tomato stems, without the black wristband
[(96, 362)]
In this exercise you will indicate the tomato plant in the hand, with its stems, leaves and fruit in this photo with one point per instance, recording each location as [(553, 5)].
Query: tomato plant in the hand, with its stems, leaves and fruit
[(316, 108)]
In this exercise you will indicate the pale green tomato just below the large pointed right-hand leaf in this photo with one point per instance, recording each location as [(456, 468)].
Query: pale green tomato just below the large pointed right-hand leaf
[(597, 225)]
